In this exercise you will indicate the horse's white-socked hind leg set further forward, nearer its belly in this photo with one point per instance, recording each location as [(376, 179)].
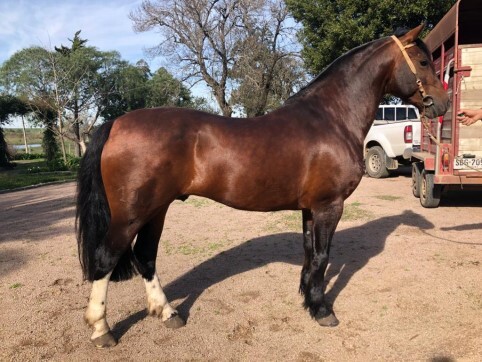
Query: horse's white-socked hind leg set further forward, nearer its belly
[(145, 251)]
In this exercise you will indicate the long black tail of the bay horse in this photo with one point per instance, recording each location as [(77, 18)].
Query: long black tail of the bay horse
[(93, 214)]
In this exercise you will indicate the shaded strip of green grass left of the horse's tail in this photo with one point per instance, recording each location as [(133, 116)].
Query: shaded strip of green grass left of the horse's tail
[(27, 174)]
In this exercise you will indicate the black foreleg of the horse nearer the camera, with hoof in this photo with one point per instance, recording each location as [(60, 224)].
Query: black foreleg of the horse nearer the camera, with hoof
[(325, 219)]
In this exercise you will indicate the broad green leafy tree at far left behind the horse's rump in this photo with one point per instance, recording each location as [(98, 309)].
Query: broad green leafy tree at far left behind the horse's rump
[(75, 83)]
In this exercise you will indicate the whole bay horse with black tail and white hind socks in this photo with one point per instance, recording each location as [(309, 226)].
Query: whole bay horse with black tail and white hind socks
[(306, 155)]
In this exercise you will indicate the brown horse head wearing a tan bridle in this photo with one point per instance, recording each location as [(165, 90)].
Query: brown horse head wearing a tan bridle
[(414, 79)]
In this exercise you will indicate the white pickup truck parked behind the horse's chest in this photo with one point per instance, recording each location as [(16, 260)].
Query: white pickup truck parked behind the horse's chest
[(393, 135)]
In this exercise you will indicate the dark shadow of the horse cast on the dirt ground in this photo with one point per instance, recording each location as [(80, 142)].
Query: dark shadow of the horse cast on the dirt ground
[(351, 250)]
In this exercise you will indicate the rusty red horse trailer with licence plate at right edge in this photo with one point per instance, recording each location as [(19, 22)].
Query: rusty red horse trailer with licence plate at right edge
[(450, 155)]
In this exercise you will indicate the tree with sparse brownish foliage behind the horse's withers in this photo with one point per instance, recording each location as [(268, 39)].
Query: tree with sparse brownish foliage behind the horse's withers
[(267, 72)]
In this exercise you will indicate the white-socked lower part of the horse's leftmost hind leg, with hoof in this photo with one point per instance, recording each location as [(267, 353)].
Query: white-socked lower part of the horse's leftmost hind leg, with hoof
[(95, 315)]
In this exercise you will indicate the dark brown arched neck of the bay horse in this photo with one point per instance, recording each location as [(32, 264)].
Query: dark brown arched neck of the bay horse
[(350, 90)]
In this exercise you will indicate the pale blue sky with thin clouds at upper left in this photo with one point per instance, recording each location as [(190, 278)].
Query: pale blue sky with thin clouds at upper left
[(48, 23)]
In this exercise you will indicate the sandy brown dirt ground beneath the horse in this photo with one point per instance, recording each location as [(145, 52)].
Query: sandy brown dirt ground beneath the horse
[(405, 283)]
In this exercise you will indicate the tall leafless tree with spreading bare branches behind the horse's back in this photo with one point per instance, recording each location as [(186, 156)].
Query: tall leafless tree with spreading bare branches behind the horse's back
[(209, 39)]
